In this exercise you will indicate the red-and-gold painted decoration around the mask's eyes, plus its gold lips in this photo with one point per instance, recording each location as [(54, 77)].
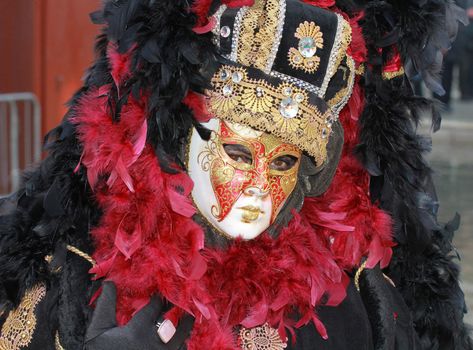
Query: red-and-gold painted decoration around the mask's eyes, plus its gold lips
[(229, 178)]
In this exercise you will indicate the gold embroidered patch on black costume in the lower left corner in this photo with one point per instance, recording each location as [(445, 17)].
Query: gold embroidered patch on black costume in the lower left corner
[(18, 329)]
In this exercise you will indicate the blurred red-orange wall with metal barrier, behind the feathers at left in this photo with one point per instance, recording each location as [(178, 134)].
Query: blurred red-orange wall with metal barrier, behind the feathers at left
[(45, 46)]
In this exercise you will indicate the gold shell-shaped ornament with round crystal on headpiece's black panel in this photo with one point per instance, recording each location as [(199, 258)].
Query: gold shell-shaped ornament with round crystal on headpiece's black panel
[(310, 39)]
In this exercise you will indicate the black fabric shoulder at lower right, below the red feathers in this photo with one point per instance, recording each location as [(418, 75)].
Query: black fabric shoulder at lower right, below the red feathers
[(376, 318)]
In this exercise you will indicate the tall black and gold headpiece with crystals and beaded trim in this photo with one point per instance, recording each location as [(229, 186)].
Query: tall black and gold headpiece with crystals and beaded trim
[(285, 70)]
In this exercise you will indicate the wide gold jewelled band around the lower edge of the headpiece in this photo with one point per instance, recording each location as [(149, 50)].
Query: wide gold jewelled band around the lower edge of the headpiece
[(283, 111)]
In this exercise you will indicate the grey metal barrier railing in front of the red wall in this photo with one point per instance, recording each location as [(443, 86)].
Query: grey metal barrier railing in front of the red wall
[(20, 137)]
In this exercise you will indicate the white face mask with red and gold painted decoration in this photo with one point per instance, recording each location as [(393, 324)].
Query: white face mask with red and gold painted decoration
[(242, 177)]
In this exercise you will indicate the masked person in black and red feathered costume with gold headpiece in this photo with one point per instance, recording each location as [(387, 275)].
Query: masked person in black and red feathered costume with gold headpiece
[(236, 174)]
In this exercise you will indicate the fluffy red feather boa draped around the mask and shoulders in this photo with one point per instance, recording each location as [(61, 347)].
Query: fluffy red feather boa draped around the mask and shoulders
[(148, 243)]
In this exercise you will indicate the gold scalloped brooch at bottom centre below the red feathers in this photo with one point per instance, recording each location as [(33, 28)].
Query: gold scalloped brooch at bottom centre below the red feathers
[(261, 338)]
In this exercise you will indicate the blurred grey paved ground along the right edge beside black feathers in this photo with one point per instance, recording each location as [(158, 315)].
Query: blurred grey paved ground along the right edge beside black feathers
[(452, 161)]
